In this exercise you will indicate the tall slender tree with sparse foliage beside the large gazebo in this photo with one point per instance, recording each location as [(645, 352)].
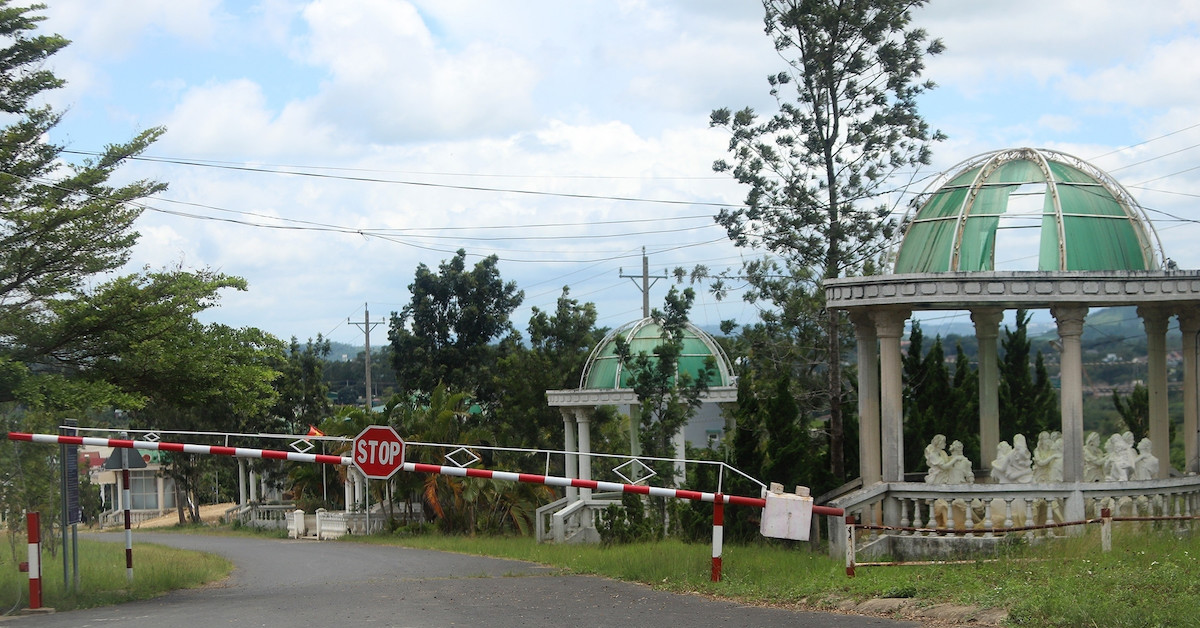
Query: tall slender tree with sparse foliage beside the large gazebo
[(848, 122)]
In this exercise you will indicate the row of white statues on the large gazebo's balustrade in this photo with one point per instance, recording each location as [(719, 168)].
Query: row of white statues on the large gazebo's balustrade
[(1119, 462)]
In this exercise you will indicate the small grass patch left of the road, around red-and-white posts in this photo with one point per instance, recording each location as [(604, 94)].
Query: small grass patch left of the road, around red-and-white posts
[(157, 571)]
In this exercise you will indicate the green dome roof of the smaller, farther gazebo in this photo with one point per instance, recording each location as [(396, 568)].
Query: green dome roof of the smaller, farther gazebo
[(605, 372)]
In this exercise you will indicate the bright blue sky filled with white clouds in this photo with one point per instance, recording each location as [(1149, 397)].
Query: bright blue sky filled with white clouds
[(325, 149)]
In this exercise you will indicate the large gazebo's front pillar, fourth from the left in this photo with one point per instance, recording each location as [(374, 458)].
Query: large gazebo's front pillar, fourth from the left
[(1071, 328)]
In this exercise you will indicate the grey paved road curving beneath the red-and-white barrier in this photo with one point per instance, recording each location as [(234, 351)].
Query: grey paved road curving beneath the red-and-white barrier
[(301, 583)]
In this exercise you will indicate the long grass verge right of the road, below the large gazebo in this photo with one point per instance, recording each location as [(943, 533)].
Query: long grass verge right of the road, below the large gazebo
[(1150, 578)]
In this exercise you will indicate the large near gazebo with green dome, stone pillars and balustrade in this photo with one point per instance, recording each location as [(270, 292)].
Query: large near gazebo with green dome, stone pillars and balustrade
[(1094, 248)]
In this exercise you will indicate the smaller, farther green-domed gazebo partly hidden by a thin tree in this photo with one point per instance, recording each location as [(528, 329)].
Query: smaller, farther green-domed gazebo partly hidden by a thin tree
[(607, 382)]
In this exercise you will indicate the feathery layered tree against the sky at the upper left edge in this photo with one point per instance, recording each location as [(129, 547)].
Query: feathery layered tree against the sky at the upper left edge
[(61, 223)]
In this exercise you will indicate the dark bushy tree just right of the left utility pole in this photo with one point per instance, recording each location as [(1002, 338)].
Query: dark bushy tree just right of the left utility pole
[(446, 333)]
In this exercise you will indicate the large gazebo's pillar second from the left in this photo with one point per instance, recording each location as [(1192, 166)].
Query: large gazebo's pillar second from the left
[(890, 327)]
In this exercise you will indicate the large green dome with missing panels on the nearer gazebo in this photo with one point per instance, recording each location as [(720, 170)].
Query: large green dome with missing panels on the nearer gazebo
[(1075, 216)]
